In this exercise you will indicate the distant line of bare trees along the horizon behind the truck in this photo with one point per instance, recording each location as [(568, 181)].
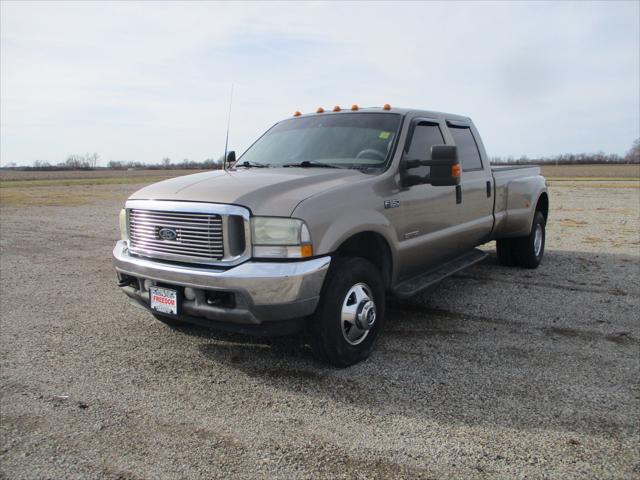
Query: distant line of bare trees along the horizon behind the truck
[(90, 161)]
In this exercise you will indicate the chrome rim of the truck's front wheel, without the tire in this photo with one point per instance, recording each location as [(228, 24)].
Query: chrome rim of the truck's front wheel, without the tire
[(358, 314)]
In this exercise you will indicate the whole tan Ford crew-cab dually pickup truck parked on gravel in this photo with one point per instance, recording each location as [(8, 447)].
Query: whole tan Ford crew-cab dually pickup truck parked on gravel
[(320, 219)]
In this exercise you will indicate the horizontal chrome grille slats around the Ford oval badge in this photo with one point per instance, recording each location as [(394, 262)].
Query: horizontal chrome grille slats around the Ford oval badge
[(198, 236)]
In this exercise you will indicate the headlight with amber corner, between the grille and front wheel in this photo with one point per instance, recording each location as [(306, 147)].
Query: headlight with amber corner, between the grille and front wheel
[(274, 237)]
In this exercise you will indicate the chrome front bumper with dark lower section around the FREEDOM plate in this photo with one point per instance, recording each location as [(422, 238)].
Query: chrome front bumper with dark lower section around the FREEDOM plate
[(262, 291)]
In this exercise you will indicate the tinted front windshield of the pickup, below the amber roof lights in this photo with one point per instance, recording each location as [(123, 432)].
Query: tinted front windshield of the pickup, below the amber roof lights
[(343, 140)]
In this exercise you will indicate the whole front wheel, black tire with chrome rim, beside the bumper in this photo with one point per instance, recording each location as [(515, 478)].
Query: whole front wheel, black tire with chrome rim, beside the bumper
[(350, 314)]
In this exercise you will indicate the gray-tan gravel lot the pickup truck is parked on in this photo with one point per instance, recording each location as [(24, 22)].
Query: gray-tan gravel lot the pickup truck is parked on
[(497, 372)]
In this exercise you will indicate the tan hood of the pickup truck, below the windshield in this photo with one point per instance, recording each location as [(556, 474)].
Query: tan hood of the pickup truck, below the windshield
[(268, 191)]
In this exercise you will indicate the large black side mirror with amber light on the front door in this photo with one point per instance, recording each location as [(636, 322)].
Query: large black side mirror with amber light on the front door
[(444, 168)]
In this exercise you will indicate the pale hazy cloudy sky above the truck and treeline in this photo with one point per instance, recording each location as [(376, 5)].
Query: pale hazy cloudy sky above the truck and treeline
[(143, 81)]
